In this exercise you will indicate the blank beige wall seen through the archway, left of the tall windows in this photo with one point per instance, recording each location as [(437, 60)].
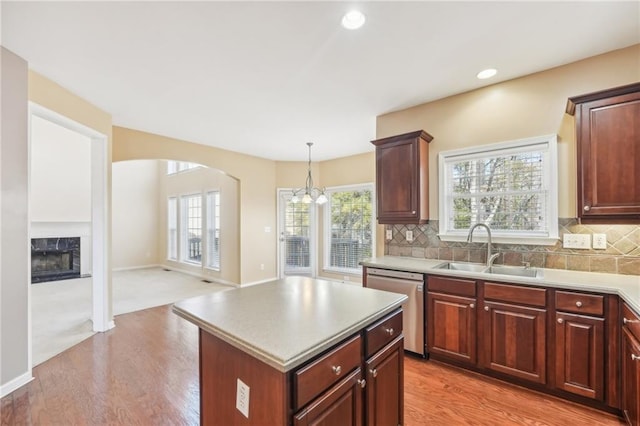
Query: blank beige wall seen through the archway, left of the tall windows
[(136, 217)]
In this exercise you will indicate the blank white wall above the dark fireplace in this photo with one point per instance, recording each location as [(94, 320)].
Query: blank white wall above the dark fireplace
[(60, 173)]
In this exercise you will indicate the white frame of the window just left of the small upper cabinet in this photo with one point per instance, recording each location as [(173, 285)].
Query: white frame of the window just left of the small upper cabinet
[(326, 237)]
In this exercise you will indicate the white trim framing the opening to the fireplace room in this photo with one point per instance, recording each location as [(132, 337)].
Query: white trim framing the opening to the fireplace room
[(102, 317)]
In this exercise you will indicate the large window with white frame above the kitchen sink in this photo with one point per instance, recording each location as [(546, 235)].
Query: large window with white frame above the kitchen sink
[(511, 186)]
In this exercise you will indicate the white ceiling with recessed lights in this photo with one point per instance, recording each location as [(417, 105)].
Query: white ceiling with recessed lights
[(264, 78)]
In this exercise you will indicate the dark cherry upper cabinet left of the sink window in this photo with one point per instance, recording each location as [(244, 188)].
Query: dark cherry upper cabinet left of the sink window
[(402, 178)]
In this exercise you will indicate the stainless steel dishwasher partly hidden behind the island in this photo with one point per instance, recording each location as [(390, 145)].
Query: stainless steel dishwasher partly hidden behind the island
[(411, 284)]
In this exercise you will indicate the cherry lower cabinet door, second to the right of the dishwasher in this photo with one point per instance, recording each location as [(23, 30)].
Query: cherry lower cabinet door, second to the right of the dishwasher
[(514, 341)]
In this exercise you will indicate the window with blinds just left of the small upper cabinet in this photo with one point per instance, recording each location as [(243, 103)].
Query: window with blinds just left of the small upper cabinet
[(349, 228)]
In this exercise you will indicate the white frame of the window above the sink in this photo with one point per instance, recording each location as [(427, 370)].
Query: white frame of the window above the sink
[(547, 145)]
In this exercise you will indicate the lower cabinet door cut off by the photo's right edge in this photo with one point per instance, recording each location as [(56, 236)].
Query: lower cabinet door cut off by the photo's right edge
[(630, 378)]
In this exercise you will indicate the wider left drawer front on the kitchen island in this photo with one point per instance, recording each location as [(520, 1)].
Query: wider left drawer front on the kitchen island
[(315, 378)]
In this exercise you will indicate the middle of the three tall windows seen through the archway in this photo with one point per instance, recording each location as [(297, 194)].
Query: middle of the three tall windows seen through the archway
[(191, 231)]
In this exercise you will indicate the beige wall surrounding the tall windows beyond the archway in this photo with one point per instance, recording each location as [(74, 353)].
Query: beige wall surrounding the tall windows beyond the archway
[(200, 181)]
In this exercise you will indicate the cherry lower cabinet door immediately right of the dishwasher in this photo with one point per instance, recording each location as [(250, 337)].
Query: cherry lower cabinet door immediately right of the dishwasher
[(451, 327)]
